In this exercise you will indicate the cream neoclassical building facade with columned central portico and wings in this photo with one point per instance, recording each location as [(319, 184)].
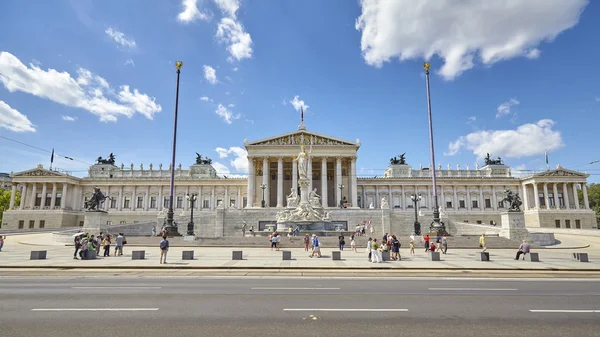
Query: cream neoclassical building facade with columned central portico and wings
[(50, 199)]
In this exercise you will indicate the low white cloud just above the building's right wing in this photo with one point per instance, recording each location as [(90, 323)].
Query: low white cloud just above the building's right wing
[(526, 140)]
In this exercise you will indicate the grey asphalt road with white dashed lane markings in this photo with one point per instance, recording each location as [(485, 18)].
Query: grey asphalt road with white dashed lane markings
[(232, 306)]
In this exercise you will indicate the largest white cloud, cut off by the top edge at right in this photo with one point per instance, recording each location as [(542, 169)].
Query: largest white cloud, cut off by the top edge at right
[(461, 32)]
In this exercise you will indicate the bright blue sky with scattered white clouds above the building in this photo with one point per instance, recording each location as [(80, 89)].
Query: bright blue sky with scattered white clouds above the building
[(92, 77)]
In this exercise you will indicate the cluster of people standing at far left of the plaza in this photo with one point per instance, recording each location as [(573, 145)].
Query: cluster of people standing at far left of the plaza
[(86, 244)]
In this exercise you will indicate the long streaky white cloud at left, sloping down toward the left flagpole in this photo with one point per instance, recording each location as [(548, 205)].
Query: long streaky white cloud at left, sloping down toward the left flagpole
[(87, 91)]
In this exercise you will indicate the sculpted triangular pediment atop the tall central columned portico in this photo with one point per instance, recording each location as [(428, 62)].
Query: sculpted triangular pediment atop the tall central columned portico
[(297, 137)]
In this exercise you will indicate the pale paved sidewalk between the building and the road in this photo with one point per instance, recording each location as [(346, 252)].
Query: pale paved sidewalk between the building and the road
[(15, 255)]
